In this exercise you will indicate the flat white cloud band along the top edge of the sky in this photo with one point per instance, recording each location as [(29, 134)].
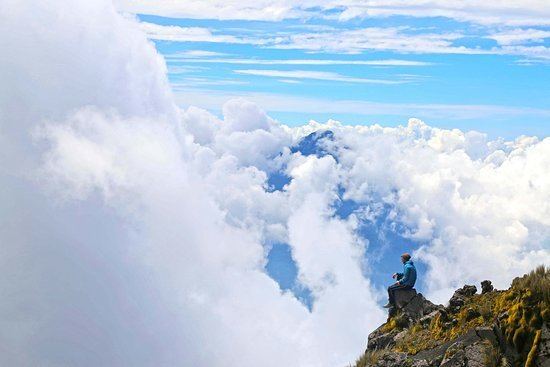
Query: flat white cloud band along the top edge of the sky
[(506, 12)]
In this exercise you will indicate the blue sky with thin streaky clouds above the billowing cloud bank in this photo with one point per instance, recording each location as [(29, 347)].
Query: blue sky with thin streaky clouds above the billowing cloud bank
[(451, 73)]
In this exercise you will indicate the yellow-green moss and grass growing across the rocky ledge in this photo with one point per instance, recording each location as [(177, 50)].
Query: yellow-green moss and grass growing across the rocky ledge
[(525, 306)]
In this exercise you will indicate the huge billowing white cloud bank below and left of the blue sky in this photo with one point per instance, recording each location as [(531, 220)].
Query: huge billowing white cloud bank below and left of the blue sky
[(135, 233)]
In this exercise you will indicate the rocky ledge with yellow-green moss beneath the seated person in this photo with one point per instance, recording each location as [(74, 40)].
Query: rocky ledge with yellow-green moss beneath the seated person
[(508, 328)]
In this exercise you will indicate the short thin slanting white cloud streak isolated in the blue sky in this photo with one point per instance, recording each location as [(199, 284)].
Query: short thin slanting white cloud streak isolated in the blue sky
[(317, 75)]
